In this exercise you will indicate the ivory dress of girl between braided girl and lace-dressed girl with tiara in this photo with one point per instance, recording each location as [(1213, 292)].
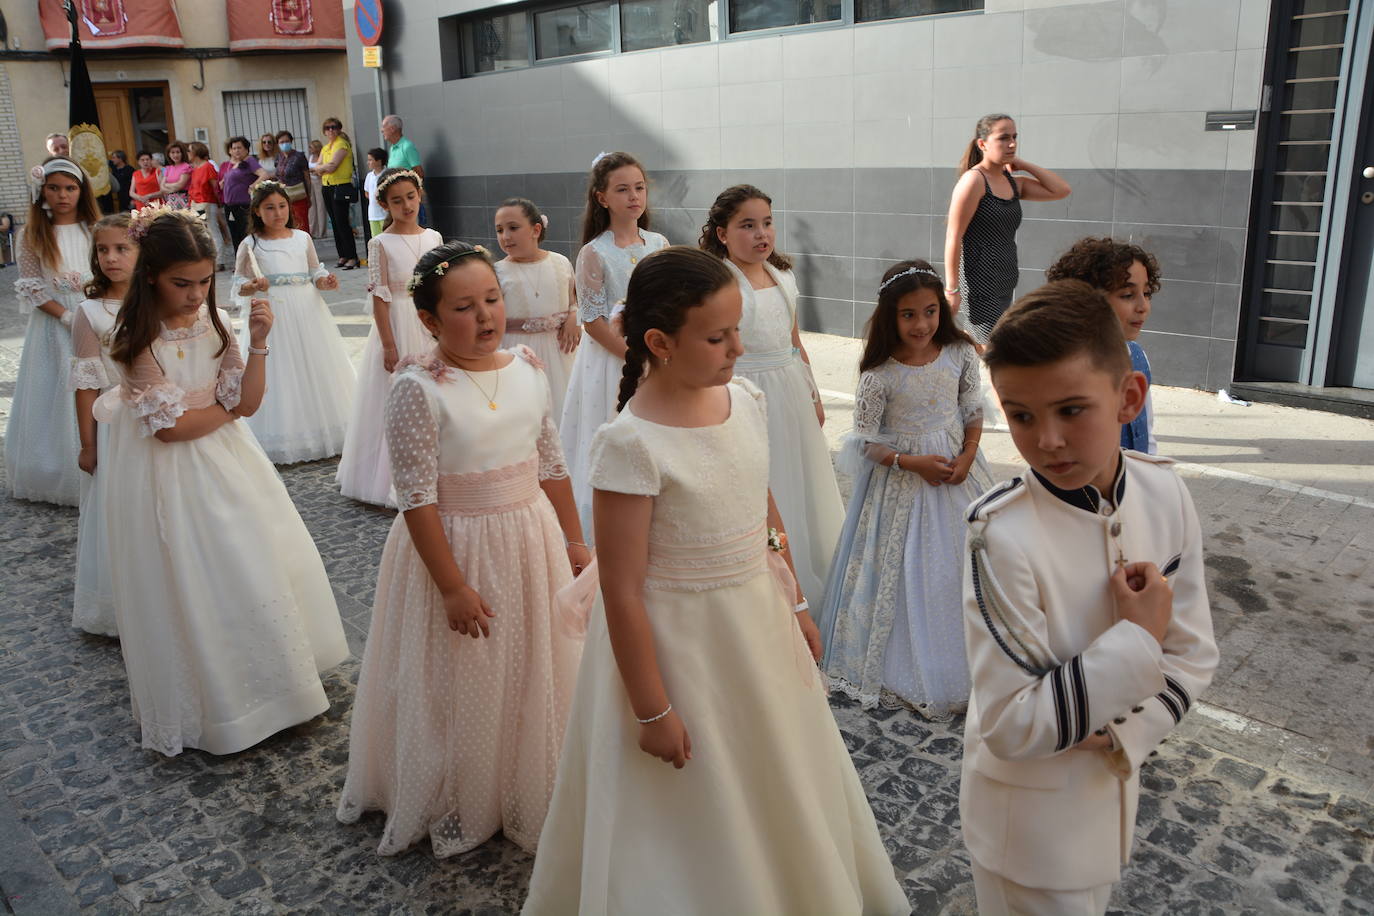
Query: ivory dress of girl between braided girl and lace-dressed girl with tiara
[(800, 474)]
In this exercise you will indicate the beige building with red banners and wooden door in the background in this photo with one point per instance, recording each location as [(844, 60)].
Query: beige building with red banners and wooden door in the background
[(194, 71)]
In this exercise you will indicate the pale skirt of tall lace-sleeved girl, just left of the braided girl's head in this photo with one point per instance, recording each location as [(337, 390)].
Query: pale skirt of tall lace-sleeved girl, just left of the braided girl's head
[(592, 402)]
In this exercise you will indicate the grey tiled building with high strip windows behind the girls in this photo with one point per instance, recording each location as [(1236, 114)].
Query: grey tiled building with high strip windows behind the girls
[(1171, 119)]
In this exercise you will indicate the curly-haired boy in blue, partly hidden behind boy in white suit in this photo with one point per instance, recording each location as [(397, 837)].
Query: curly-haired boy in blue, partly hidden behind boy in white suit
[(1130, 278)]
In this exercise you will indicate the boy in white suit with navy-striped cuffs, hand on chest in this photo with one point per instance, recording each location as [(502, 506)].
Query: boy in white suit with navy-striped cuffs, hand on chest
[(1086, 615)]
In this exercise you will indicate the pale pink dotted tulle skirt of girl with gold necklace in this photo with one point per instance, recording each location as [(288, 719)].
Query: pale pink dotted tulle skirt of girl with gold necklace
[(457, 738)]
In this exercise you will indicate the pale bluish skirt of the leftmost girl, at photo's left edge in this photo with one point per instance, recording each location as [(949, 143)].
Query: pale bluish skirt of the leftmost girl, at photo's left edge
[(41, 442)]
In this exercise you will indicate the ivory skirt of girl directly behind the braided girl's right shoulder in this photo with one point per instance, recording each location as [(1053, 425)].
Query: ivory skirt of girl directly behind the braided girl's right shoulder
[(800, 472)]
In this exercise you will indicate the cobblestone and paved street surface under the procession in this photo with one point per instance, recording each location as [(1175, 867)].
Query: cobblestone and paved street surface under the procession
[(1247, 810)]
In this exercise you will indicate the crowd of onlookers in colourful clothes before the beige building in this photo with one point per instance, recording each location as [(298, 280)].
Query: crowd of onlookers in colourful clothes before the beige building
[(322, 182)]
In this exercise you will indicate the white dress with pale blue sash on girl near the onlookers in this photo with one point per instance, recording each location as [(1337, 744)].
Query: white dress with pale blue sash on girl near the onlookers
[(310, 378)]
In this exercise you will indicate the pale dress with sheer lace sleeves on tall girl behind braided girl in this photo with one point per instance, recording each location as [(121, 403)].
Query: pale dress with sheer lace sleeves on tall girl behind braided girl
[(604, 271)]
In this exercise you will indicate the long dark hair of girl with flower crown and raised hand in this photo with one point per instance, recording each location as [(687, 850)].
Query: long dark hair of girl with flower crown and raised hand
[(166, 240)]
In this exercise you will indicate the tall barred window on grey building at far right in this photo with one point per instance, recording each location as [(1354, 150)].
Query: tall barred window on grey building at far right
[(1307, 93)]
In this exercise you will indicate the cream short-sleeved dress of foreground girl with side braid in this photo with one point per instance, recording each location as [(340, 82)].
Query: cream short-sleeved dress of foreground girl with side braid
[(769, 816)]
